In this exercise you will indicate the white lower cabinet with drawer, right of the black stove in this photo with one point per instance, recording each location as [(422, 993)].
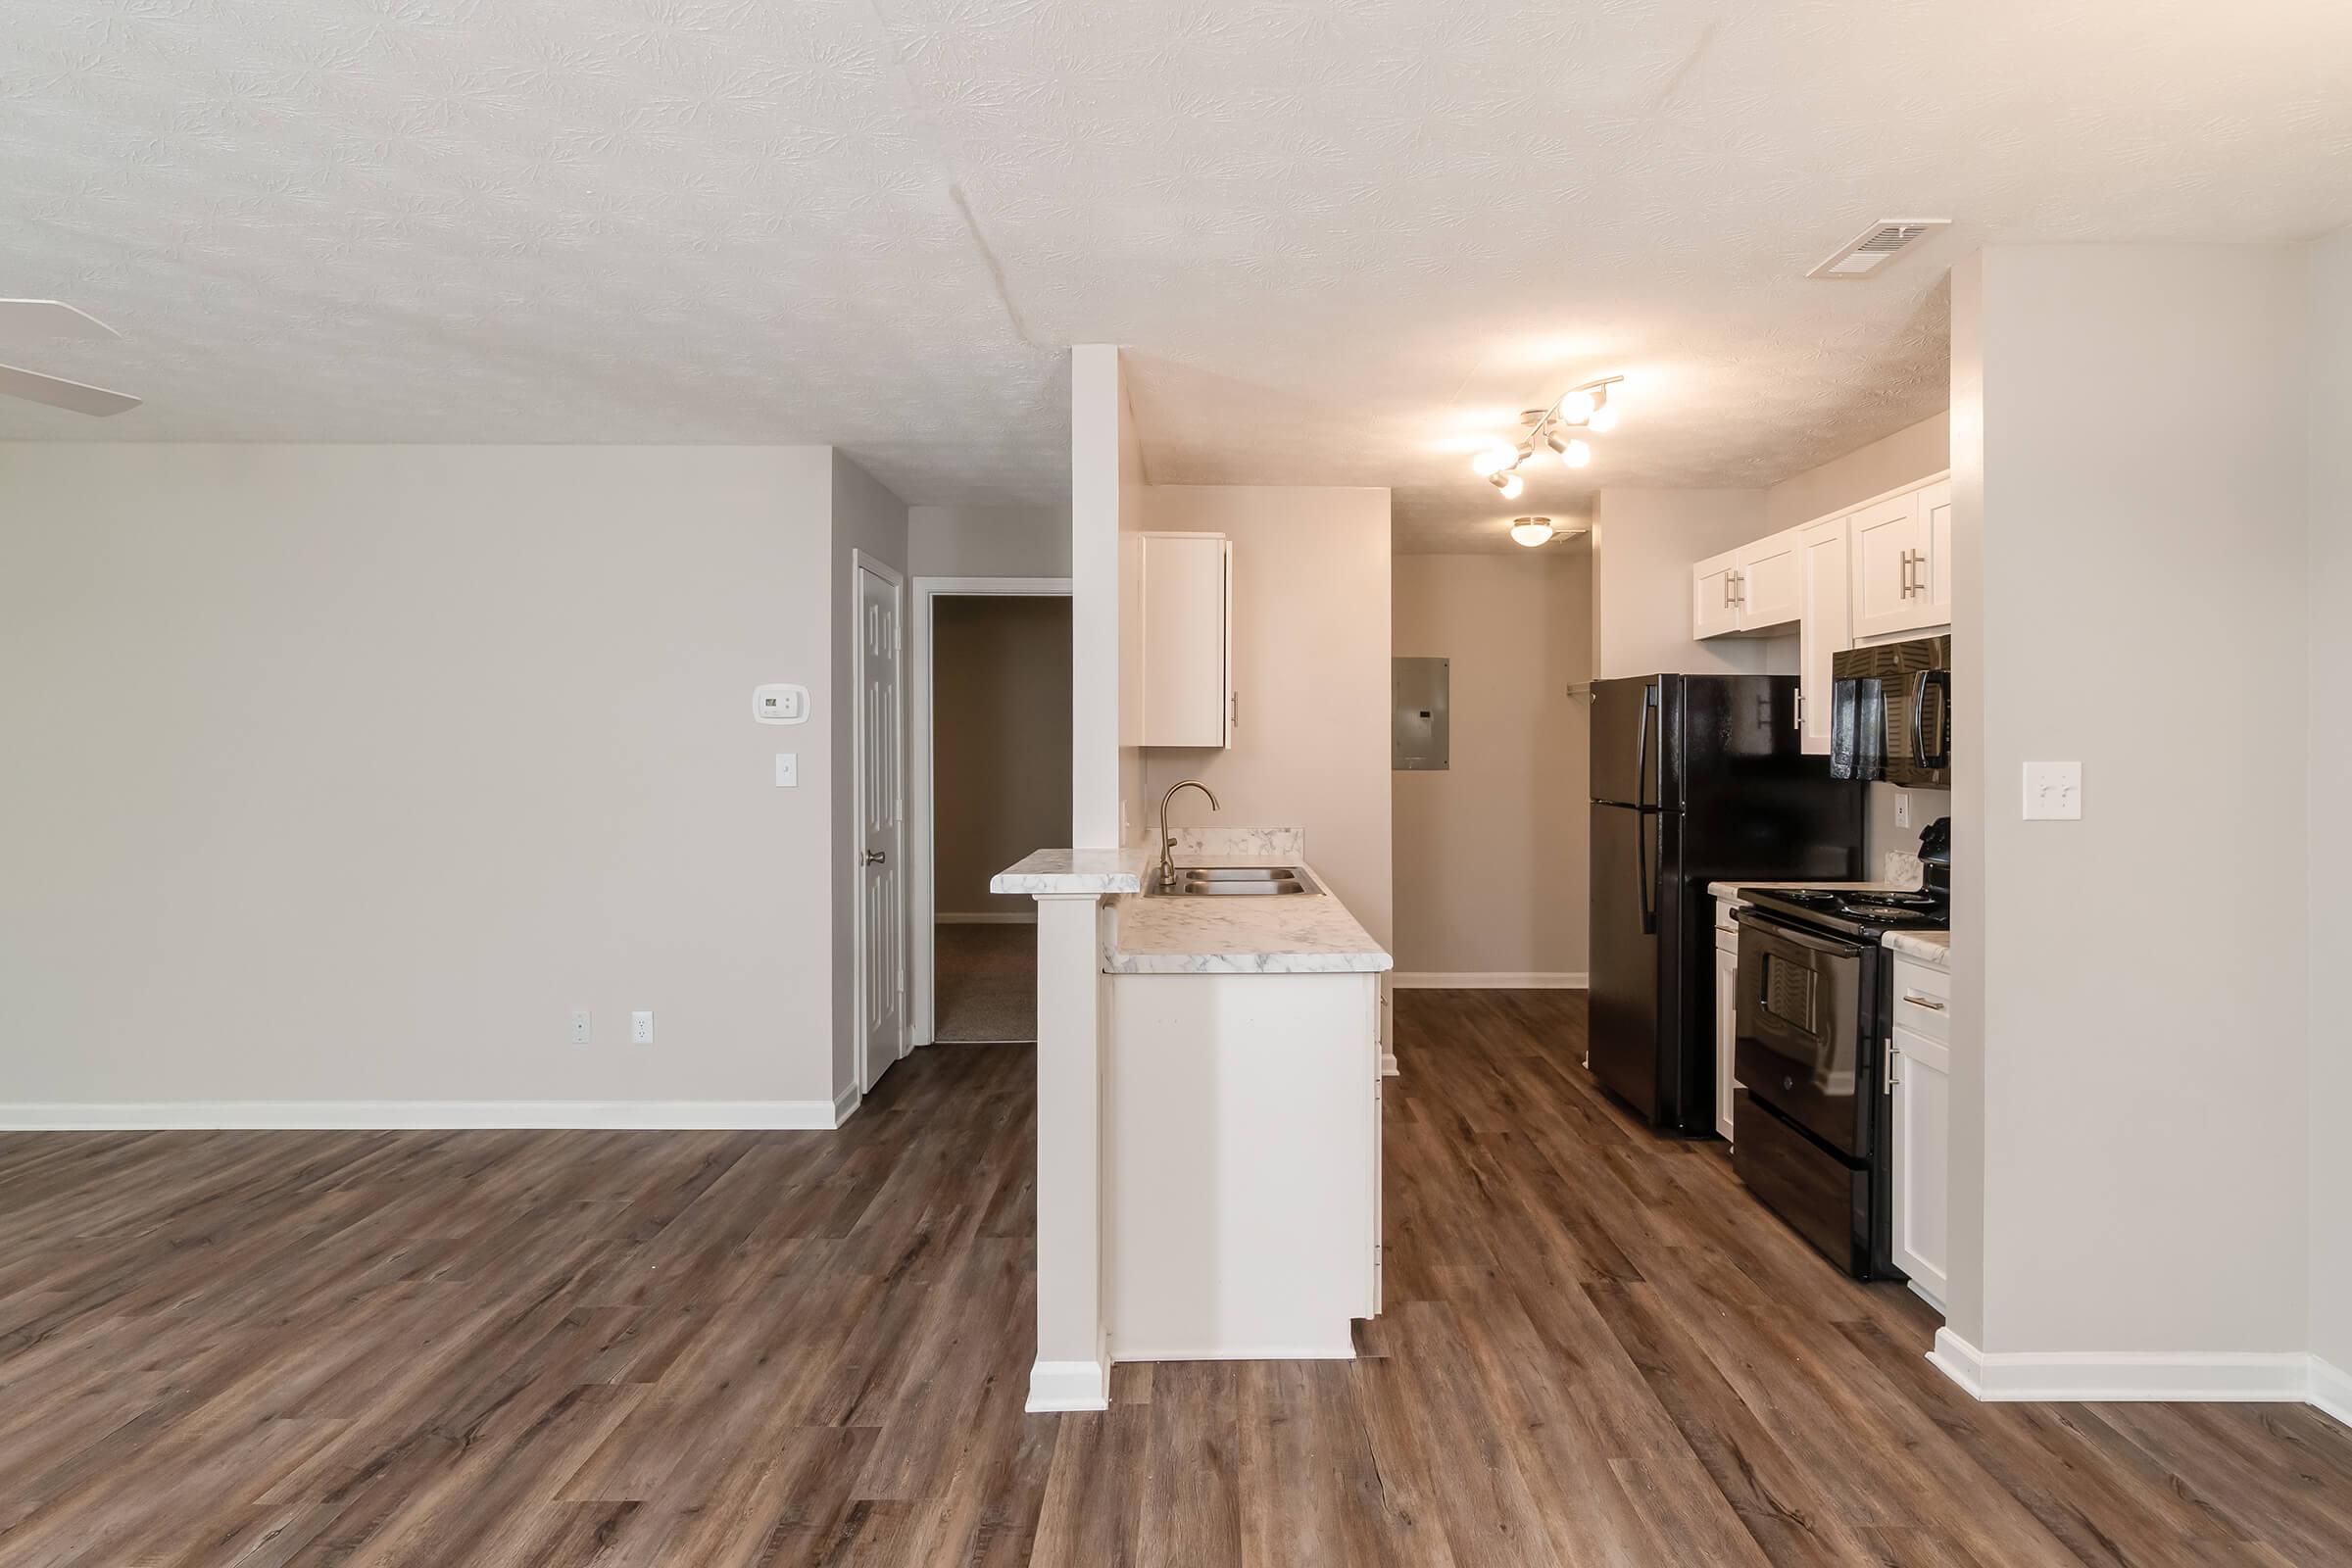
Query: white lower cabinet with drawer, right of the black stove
[(1923, 1127)]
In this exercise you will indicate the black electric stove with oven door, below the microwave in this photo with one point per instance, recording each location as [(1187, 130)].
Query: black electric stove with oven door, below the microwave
[(1812, 1113)]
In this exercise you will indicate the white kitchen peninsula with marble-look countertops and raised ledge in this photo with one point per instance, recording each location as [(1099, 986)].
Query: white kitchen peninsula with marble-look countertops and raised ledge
[(1208, 1111)]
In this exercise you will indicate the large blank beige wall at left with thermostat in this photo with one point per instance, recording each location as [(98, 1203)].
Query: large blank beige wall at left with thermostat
[(347, 772)]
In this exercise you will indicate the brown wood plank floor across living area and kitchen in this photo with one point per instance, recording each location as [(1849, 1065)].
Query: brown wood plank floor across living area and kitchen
[(810, 1348)]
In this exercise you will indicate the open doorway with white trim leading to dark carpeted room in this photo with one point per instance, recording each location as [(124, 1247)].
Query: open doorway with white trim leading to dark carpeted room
[(991, 784)]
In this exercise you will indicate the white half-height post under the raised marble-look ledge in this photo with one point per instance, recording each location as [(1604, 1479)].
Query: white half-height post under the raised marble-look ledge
[(1074, 1348)]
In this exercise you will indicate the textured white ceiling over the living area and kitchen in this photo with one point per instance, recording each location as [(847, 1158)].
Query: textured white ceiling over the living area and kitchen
[(1342, 239)]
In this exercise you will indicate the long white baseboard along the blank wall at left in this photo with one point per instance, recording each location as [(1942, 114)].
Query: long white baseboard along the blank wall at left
[(429, 1115)]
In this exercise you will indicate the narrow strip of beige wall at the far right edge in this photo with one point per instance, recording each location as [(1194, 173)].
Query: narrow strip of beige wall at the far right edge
[(2330, 857)]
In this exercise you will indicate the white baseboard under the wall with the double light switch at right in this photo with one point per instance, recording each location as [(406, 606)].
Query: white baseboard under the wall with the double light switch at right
[(2045, 1376)]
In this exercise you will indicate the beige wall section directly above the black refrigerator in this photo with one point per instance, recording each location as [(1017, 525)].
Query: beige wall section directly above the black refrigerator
[(1645, 544)]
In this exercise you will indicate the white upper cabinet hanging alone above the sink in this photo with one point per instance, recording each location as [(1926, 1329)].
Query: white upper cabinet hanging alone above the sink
[(1187, 591)]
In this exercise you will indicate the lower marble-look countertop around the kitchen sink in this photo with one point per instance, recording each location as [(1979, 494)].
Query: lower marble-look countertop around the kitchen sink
[(1290, 934)]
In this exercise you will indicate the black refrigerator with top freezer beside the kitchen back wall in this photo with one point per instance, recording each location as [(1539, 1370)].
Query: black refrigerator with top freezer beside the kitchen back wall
[(1695, 779)]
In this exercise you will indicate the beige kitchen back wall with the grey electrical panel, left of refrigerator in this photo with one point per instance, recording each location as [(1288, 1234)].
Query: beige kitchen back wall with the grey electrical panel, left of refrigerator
[(1492, 873)]
